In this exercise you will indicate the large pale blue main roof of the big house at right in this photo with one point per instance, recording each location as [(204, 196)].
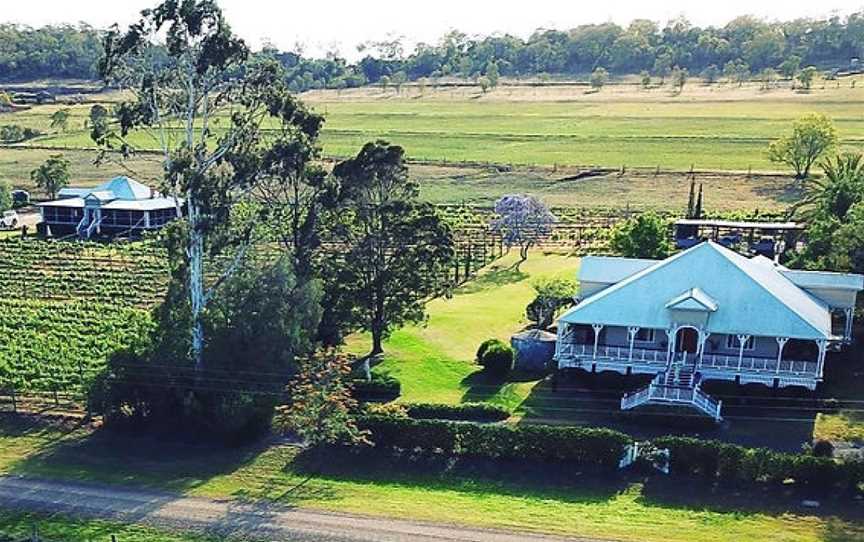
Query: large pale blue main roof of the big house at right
[(751, 297)]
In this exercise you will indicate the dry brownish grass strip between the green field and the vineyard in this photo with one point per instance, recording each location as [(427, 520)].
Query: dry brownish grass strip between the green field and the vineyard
[(480, 185)]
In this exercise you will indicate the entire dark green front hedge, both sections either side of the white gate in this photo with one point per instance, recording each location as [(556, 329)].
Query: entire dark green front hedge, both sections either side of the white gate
[(717, 462)]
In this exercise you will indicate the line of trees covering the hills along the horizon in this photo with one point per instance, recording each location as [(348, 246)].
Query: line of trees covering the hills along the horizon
[(746, 45)]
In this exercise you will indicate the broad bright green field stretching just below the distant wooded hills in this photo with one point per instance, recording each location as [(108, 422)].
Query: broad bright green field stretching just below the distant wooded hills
[(711, 128)]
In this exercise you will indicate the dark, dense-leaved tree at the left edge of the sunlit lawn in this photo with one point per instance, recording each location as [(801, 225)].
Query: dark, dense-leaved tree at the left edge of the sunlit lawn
[(394, 243)]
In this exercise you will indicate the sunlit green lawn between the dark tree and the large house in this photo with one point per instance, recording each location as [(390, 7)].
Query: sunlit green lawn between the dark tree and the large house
[(434, 361)]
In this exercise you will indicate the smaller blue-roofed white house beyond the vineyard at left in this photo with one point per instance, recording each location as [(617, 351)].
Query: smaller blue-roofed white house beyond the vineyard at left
[(121, 205)]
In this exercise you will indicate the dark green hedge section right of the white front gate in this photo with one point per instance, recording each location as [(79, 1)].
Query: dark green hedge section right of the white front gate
[(729, 463)]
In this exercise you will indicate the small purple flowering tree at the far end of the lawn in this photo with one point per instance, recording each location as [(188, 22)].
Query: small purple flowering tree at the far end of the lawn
[(522, 221)]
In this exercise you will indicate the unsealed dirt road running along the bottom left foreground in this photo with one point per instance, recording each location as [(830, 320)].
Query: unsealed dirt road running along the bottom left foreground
[(229, 517)]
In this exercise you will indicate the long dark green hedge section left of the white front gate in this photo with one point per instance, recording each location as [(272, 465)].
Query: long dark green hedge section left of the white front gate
[(574, 445)]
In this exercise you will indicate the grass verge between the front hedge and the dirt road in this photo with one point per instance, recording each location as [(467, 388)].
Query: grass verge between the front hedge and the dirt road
[(570, 504)]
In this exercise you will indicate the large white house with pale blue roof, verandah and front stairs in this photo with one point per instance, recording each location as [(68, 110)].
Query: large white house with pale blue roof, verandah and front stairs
[(707, 313)]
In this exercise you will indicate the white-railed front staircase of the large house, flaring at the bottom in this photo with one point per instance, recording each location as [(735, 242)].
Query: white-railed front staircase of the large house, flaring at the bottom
[(678, 385)]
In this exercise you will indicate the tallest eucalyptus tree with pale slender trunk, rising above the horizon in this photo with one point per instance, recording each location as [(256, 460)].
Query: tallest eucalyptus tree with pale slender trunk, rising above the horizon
[(194, 91)]
